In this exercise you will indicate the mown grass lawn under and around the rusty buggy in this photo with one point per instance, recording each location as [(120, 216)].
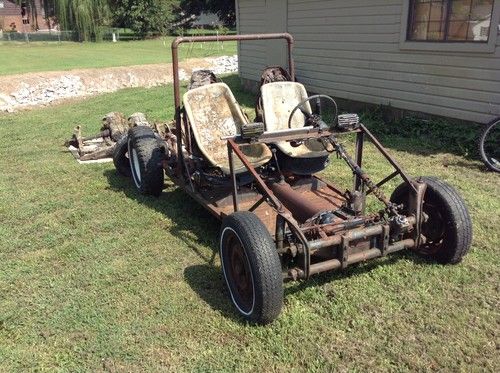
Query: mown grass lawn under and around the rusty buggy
[(94, 276)]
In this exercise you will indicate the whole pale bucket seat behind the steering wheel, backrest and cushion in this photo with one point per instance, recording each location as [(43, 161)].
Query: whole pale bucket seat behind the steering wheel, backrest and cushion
[(278, 101)]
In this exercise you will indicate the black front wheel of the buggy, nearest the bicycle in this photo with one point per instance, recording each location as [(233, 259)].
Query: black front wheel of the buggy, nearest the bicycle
[(449, 228)]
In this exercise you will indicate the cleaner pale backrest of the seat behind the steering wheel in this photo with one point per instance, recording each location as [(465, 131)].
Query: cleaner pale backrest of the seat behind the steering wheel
[(278, 101)]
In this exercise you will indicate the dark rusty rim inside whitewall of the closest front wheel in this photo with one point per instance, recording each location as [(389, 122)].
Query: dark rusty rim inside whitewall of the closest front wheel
[(237, 272)]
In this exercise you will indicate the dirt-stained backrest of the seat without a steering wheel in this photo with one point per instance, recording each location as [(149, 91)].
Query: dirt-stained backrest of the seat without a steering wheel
[(213, 113)]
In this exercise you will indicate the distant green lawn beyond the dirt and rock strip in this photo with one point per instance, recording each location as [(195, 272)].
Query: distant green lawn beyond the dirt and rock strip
[(22, 58)]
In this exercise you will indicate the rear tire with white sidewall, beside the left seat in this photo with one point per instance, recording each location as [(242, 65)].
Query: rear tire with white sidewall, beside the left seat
[(145, 156)]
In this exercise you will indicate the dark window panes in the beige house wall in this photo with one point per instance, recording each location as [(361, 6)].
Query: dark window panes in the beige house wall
[(449, 20)]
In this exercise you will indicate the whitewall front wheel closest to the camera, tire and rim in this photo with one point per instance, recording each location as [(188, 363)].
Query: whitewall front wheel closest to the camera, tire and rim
[(247, 251)]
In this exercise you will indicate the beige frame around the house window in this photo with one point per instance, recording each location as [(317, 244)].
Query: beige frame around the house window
[(450, 46)]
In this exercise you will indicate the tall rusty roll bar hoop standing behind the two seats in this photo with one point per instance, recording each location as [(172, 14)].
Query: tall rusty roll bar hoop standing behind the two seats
[(176, 80)]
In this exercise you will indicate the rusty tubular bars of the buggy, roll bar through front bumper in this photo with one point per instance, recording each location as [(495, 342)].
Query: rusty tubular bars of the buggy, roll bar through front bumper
[(284, 217)]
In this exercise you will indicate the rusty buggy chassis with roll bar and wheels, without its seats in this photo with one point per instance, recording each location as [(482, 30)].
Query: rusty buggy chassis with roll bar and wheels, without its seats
[(286, 226)]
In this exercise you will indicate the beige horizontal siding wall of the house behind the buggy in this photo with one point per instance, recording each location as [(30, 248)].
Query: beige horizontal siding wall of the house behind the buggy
[(352, 49)]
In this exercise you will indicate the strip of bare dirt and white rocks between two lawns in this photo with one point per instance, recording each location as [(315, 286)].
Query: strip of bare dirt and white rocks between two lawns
[(43, 88)]
